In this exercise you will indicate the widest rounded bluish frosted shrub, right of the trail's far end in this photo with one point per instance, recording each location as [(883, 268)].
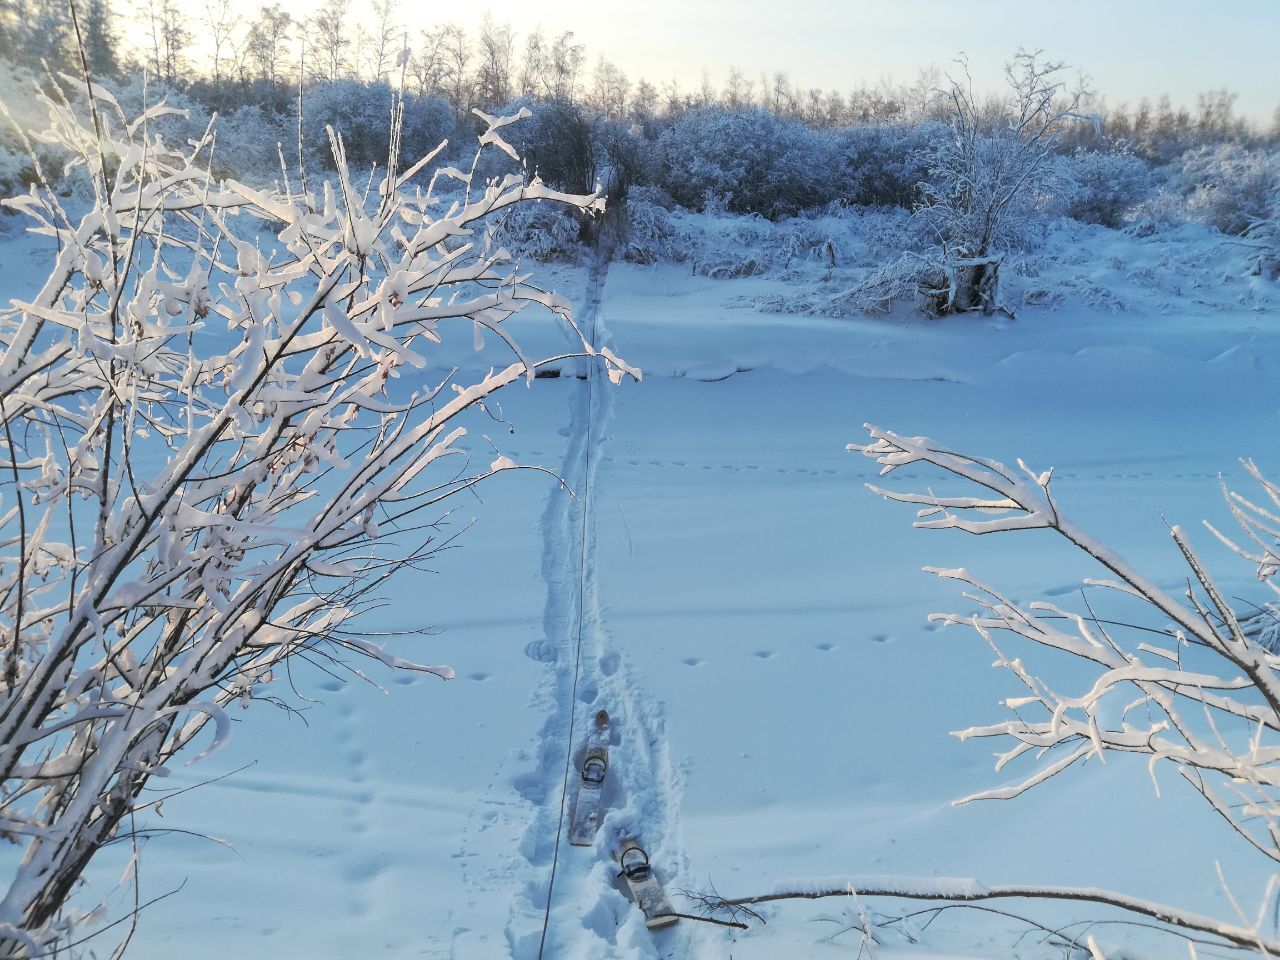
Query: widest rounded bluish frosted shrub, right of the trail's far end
[(757, 162)]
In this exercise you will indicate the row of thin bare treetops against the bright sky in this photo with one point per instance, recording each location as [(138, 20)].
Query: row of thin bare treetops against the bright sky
[(264, 60)]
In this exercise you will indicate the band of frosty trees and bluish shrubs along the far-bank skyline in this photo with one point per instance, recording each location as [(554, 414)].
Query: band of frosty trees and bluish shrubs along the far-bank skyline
[(751, 143)]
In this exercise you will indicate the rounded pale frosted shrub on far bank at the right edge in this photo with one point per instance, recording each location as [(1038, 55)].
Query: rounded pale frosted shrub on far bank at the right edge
[(1229, 186)]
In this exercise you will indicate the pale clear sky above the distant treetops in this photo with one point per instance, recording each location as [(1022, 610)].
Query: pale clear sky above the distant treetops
[(1128, 48)]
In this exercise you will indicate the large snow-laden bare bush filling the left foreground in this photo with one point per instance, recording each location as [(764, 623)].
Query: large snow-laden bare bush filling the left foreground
[(216, 451)]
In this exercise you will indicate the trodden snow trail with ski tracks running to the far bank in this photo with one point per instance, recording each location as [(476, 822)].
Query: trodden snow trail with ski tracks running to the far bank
[(572, 906)]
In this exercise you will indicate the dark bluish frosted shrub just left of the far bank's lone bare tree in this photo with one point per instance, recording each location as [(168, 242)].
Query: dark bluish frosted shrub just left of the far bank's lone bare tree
[(885, 163)]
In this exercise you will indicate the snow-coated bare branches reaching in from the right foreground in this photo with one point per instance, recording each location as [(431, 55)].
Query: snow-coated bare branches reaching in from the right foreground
[(1186, 683)]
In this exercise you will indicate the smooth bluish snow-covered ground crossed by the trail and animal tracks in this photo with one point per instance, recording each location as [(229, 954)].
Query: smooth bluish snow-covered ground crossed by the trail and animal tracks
[(756, 623)]
